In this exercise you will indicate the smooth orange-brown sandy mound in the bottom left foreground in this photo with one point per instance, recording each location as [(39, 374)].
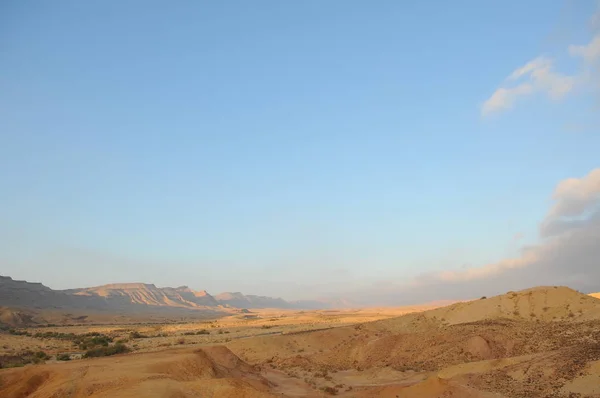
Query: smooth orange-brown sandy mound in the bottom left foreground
[(206, 372)]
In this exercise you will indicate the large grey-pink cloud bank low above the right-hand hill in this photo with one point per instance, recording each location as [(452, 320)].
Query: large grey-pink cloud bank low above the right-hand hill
[(568, 254)]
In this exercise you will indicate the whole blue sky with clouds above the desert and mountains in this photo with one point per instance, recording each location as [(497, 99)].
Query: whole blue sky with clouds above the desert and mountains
[(301, 149)]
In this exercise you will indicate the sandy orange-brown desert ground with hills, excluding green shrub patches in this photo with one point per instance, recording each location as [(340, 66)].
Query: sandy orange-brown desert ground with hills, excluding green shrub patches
[(541, 342)]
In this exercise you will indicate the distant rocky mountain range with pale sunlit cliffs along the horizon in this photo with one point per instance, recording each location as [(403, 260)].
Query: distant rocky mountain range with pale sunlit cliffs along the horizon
[(136, 297)]
